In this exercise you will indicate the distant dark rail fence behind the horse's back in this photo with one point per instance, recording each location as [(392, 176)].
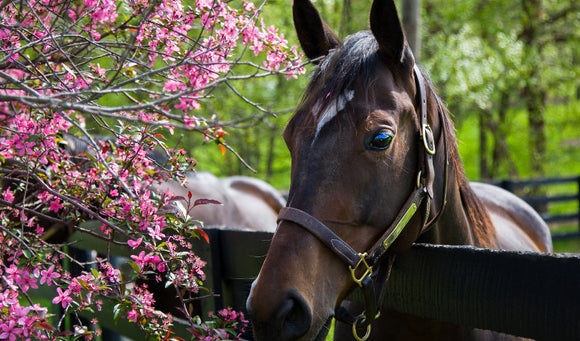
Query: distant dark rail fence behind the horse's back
[(534, 192)]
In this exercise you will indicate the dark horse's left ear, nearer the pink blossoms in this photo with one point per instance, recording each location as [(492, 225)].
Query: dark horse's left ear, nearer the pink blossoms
[(315, 37)]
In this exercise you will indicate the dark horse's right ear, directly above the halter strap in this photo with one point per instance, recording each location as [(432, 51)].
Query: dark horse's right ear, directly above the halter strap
[(388, 32)]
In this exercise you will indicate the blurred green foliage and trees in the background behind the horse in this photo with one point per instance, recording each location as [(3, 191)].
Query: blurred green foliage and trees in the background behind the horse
[(476, 56)]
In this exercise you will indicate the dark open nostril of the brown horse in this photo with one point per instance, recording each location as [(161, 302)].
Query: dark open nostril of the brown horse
[(294, 317)]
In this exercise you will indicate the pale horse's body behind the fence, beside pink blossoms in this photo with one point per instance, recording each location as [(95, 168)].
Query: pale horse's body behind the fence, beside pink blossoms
[(244, 202)]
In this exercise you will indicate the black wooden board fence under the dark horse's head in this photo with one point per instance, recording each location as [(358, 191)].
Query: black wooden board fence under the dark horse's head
[(523, 293)]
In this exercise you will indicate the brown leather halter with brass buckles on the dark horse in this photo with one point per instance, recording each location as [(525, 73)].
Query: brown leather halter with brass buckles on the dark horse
[(373, 282)]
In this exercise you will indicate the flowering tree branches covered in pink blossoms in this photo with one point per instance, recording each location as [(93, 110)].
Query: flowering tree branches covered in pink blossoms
[(135, 70)]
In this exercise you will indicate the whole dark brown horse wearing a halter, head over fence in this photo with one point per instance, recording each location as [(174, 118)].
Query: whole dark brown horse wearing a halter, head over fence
[(375, 168)]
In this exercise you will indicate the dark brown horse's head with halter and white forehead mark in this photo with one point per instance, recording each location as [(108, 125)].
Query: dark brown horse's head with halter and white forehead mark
[(362, 149)]
